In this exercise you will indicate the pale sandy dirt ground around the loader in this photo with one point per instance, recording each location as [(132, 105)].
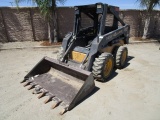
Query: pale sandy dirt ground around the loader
[(133, 93)]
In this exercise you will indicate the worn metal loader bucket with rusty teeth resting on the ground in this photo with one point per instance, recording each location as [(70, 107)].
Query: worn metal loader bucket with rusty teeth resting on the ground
[(63, 84)]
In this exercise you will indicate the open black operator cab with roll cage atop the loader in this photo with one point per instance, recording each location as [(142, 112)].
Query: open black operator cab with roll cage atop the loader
[(89, 22)]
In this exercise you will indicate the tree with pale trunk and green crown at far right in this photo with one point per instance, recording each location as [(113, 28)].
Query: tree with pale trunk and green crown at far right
[(149, 5)]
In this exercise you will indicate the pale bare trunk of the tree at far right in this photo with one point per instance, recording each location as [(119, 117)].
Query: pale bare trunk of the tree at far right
[(146, 32)]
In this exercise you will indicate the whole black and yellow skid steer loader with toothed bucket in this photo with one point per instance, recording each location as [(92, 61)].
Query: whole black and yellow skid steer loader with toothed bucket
[(90, 52)]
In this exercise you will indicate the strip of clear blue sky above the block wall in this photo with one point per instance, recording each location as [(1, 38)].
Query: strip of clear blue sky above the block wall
[(123, 4)]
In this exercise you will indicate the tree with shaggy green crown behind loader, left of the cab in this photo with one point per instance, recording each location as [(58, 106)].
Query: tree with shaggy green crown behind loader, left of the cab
[(48, 10)]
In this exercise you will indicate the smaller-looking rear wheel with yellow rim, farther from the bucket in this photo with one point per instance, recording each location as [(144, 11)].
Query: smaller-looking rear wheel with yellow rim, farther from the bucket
[(121, 57)]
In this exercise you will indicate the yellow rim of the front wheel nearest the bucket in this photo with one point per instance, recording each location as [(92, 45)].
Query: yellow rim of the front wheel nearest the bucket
[(108, 67)]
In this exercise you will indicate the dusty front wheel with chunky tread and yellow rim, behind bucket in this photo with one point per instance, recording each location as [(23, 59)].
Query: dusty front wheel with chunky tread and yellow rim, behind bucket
[(103, 67)]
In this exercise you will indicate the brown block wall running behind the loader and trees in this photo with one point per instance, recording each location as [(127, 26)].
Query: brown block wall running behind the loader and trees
[(27, 24)]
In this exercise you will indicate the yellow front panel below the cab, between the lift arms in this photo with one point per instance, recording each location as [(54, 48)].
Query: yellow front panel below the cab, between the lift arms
[(77, 56)]
